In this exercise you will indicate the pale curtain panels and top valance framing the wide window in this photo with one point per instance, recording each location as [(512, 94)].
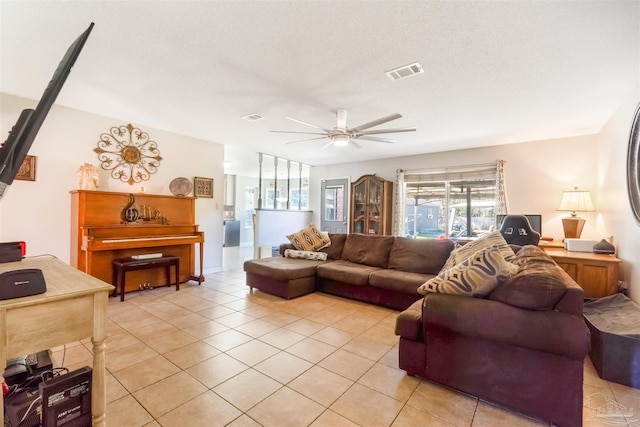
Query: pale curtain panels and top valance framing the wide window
[(456, 173)]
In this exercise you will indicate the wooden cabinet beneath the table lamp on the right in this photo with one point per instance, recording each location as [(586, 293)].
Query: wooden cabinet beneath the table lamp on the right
[(597, 274)]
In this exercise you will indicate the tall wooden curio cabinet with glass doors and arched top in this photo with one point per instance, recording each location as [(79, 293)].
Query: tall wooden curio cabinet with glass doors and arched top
[(371, 202)]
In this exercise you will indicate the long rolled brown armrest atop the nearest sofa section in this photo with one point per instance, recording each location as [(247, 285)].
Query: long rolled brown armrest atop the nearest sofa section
[(549, 331)]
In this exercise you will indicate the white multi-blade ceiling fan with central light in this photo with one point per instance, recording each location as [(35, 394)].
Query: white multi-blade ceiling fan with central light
[(341, 135)]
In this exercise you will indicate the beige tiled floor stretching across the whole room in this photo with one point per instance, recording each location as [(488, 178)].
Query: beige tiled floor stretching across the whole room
[(216, 354)]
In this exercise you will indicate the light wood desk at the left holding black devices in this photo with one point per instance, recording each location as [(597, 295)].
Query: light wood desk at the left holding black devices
[(73, 308)]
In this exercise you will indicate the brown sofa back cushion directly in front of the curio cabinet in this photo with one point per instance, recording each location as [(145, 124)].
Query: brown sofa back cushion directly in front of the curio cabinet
[(367, 249)]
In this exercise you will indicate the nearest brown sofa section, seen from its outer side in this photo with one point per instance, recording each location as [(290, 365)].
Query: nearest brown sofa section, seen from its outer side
[(522, 347)]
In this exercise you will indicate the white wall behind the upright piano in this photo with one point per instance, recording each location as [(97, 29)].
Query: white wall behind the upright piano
[(40, 213)]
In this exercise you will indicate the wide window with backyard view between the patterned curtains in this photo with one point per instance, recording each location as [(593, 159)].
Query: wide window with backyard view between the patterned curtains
[(450, 204)]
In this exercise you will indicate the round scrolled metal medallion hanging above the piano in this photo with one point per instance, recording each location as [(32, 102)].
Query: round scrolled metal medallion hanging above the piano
[(128, 153)]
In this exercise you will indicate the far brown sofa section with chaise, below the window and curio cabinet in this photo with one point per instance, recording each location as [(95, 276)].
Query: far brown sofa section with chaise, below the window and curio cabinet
[(383, 270)]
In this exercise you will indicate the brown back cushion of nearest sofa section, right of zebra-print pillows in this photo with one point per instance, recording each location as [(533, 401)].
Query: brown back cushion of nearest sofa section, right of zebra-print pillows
[(538, 285)]
